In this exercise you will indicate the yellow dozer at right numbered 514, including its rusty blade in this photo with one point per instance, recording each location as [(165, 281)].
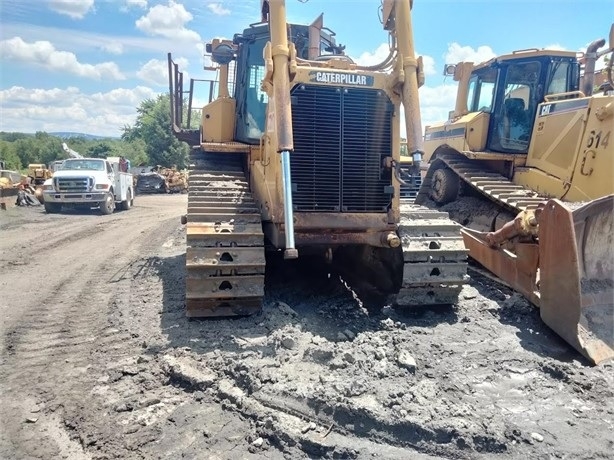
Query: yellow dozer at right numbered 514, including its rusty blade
[(527, 161)]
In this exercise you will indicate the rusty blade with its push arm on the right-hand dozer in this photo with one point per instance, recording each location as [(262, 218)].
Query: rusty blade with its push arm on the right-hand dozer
[(569, 274)]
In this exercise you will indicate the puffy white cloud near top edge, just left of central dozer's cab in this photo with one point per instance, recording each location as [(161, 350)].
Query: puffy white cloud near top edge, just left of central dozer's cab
[(168, 21)]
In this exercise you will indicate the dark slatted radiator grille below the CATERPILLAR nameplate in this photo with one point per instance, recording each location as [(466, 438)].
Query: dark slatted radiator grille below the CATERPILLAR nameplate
[(341, 136)]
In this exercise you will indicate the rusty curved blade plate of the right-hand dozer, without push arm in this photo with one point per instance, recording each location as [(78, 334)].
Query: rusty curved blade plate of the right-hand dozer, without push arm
[(577, 275)]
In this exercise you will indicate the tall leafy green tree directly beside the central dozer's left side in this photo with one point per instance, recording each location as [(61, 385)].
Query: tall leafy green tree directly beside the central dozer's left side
[(153, 127)]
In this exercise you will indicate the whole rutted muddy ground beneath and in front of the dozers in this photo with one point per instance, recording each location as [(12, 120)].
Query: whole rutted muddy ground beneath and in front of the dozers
[(99, 362)]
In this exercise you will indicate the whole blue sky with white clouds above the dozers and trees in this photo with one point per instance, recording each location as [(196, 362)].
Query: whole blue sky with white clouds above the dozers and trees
[(85, 65)]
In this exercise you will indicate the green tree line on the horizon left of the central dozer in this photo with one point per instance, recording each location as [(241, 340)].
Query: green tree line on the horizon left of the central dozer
[(148, 142)]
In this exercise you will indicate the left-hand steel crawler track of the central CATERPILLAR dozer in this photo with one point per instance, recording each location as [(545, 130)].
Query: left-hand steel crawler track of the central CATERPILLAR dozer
[(225, 261)]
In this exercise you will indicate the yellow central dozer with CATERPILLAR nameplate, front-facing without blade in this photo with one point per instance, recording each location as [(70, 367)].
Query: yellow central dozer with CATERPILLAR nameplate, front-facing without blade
[(299, 152)]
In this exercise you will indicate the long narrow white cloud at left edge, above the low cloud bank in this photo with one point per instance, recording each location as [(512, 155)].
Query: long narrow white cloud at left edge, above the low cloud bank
[(43, 53)]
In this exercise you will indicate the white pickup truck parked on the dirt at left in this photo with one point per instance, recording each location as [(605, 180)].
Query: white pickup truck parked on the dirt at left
[(88, 183)]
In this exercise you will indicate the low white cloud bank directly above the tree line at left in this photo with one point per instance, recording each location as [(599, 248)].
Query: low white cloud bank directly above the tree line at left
[(105, 114)]
